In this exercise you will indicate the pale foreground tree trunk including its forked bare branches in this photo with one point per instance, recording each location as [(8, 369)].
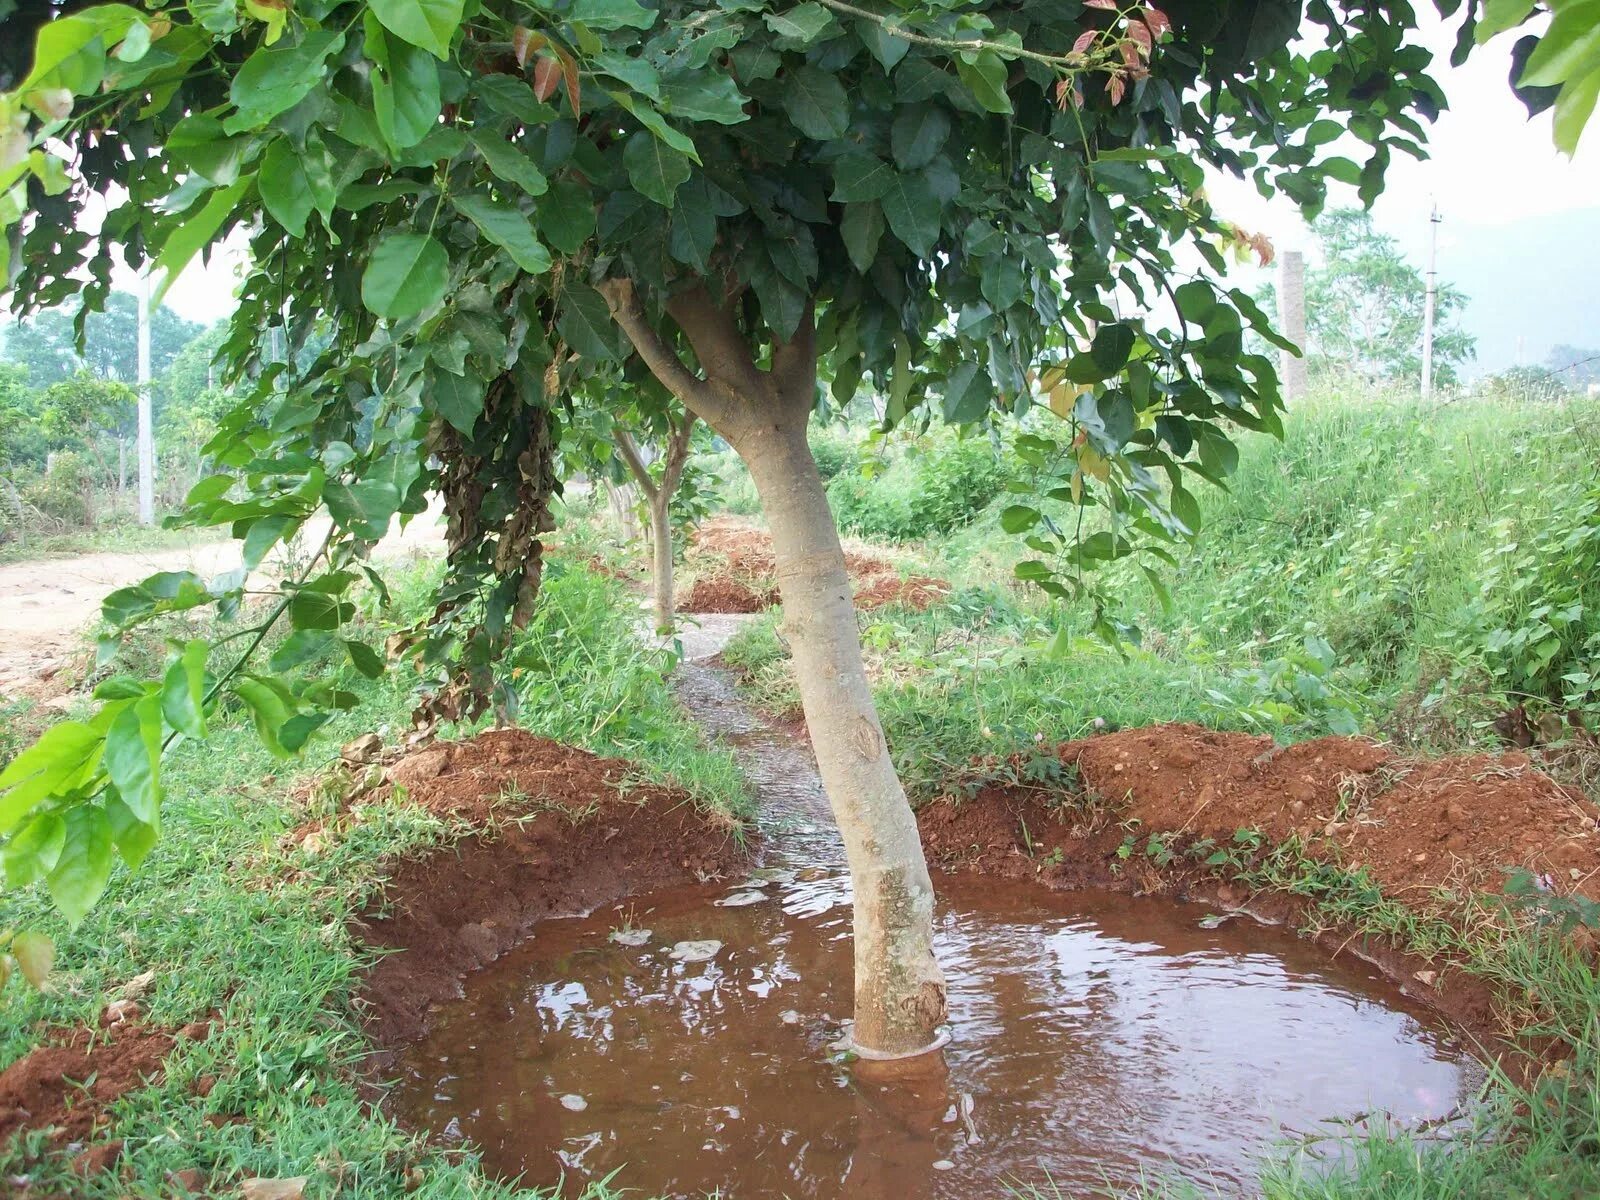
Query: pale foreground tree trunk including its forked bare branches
[(764, 415)]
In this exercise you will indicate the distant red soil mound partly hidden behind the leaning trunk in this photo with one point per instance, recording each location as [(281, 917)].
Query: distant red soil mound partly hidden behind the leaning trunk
[(737, 574)]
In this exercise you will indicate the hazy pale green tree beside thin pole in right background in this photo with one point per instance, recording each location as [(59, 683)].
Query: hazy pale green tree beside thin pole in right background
[(1366, 303)]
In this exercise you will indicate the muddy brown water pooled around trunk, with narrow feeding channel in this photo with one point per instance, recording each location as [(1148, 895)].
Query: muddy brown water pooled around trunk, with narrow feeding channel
[(1098, 1039)]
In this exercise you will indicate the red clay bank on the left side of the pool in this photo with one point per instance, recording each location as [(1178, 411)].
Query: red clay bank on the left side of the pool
[(572, 833)]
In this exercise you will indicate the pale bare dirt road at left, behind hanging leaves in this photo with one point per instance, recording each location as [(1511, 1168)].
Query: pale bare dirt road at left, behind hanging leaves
[(50, 607)]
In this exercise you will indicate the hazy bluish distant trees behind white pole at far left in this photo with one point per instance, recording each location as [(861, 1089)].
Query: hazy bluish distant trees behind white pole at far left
[(49, 345)]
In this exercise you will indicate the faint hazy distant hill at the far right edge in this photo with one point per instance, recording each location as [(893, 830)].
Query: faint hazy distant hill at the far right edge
[(1534, 286)]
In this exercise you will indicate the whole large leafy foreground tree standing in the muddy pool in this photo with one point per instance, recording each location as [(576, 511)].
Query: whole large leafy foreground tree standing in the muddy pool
[(506, 223)]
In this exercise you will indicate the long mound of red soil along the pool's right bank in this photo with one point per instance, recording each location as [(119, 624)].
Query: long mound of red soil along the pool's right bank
[(1414, 825)]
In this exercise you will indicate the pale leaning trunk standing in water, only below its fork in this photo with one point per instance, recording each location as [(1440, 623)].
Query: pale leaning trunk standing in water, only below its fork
[(900, 991)]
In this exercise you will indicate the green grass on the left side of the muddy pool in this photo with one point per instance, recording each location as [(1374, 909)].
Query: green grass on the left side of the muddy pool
[(238, 924)]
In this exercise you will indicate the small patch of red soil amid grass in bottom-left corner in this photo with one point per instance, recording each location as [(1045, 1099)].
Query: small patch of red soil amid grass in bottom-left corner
[(46, 1089)]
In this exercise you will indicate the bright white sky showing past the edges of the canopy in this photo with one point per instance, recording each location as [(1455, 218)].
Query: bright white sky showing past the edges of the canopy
[(1489, 166)]
